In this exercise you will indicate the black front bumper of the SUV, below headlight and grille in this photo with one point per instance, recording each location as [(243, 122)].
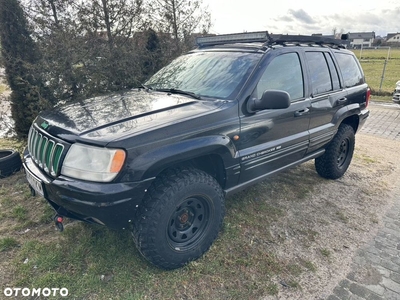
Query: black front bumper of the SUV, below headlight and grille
[(110, 204)]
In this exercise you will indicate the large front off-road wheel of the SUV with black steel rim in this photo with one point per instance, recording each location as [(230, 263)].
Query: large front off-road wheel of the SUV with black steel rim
[(180, 217)]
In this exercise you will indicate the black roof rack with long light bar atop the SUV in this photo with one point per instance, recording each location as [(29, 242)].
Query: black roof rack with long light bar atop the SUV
[(267, 39)]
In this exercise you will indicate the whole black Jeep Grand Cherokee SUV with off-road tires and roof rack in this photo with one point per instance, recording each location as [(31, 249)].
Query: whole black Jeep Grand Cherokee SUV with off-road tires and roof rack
[(160, 159)]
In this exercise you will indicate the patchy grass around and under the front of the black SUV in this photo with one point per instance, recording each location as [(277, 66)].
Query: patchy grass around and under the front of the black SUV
[(94, 262)]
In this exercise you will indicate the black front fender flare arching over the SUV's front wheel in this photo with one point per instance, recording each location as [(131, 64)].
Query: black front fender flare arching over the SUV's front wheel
[(151, 163)]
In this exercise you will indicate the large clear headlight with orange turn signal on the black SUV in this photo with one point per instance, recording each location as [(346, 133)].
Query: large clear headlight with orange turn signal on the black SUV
[(93, 163)]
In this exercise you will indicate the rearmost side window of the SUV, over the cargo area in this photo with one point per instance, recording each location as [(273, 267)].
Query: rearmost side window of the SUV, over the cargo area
[(349, 68)]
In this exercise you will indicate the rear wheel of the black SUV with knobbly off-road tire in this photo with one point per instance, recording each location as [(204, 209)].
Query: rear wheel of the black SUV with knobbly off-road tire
[(337, 157)]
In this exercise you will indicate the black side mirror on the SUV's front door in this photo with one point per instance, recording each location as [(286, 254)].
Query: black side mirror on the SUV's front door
[(271, 99)]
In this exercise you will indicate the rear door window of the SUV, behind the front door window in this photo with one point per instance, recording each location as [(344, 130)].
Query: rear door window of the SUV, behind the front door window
[(319, 73)]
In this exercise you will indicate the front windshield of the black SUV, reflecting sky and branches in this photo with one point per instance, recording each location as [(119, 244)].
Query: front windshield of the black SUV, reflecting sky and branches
[(208, 74)]
